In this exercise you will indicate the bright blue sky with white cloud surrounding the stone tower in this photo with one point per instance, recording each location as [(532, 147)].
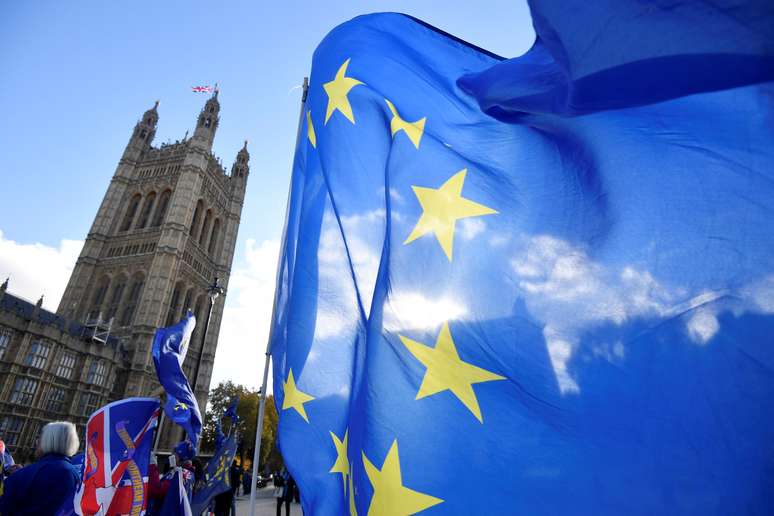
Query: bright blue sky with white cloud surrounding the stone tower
[(77, 75)]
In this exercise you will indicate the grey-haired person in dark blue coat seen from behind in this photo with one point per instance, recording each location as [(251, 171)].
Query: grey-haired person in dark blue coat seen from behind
[(41, 488)]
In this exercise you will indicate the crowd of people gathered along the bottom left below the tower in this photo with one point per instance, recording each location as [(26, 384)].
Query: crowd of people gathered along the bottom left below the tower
[(43, 487)]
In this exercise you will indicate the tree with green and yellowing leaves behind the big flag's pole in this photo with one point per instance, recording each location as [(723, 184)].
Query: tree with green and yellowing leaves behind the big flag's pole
[(247, 410)]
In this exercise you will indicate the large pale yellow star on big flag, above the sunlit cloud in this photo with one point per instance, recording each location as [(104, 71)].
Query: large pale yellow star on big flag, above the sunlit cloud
[(442, 208)]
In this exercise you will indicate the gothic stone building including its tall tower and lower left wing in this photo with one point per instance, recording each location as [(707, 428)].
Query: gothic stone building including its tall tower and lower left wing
[(165, 230)]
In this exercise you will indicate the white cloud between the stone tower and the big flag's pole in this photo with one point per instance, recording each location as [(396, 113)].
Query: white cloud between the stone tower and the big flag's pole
[(244, 329)]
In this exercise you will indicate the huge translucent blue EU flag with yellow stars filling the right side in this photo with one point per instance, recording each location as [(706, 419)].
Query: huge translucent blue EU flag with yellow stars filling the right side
[(552, 310)]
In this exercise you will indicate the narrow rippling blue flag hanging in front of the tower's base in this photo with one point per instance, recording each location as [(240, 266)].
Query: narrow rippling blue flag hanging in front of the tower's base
[(170, 346)]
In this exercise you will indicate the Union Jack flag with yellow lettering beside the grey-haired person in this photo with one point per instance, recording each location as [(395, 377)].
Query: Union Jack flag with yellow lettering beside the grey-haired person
[(119, 438)]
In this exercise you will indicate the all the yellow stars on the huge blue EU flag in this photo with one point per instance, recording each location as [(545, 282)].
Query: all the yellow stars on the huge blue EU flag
[(445, 371)]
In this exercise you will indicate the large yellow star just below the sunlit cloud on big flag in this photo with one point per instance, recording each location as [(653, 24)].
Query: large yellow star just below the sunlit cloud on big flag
[(446, 371)]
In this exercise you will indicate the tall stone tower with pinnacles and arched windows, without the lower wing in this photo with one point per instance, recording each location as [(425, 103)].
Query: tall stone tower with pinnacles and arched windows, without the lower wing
[(166, 228)]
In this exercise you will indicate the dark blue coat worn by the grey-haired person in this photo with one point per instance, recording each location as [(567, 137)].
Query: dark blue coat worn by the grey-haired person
[(41, 488)]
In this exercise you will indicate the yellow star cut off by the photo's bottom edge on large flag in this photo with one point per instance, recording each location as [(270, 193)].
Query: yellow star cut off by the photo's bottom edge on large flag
[(391, 498)]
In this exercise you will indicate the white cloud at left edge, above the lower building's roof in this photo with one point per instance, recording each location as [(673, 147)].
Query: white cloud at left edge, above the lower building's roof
[(36, 269)]
